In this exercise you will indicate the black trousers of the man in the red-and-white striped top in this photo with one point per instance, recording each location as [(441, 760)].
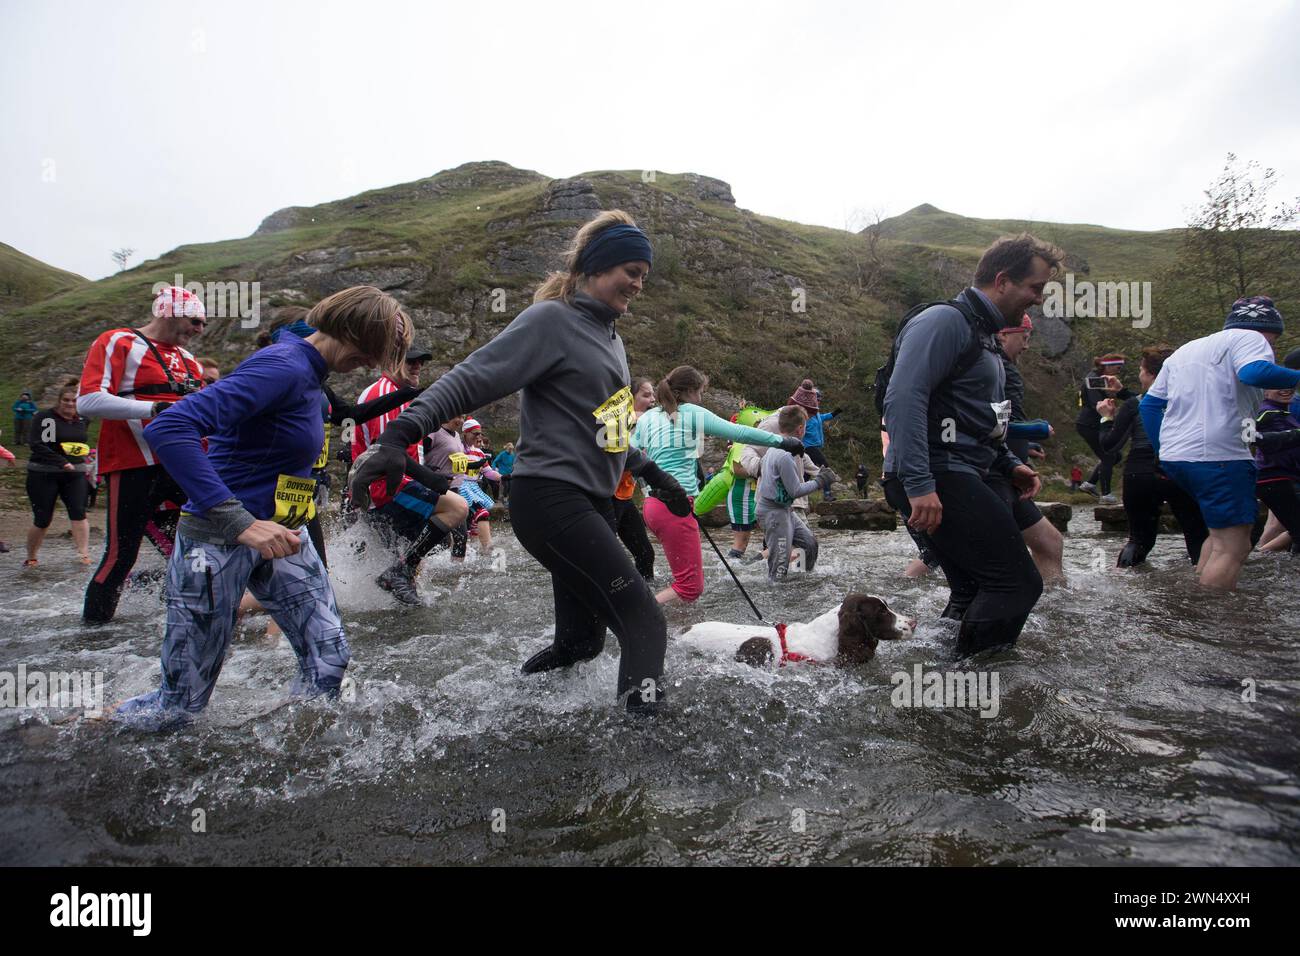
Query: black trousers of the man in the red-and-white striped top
[(135, 496)]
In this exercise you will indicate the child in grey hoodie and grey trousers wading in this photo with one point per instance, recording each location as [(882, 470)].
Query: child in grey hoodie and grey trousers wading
[(779, 486)]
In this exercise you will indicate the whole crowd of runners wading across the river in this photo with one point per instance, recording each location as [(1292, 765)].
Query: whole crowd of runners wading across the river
[(227, 474)]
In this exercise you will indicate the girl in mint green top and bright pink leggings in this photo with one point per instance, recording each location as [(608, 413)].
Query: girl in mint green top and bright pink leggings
[(673, 435)]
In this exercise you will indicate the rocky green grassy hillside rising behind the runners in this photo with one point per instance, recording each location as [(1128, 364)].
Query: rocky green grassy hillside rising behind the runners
[(756, 302)]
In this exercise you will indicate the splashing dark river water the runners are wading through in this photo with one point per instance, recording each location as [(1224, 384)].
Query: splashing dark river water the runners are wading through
[(1121, 734)]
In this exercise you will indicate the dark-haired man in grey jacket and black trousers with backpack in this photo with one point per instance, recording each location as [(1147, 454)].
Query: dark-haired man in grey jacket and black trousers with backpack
[(947, 434)]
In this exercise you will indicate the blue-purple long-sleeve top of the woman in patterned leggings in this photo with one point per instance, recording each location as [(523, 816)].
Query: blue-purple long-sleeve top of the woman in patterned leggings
[(262, 422)]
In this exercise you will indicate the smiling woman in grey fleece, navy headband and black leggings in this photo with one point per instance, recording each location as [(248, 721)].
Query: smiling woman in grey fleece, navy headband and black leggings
[(566, 358)]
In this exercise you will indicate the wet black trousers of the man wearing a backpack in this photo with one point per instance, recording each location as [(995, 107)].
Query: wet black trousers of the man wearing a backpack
[(990, 572)]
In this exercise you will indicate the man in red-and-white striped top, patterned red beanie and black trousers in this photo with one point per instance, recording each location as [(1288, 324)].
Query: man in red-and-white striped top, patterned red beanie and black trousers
[(129, 377)]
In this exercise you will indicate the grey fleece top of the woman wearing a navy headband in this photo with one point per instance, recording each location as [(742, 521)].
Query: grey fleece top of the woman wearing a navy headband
[(575, 405)]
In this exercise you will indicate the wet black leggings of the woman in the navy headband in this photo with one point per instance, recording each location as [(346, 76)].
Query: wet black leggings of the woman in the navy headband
[(593, 579)]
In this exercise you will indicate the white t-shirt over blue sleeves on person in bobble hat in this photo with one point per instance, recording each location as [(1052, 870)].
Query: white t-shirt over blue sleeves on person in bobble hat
[(1208, 404)]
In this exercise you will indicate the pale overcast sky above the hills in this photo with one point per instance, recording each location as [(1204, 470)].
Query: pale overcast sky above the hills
[(157, 124)]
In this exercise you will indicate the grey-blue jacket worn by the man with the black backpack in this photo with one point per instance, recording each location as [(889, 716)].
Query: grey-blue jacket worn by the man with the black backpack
[(957, 427)]
